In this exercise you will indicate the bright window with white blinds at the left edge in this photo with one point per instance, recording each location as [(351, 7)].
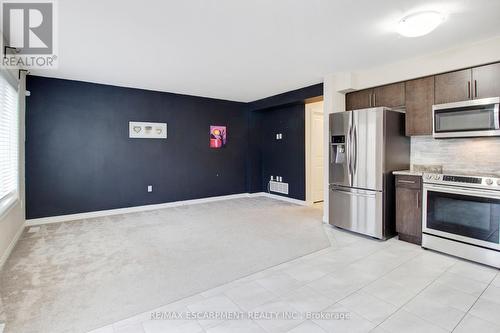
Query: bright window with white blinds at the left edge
[(9, 142)]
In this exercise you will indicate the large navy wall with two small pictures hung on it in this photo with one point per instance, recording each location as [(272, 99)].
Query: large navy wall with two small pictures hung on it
[(79, 157)]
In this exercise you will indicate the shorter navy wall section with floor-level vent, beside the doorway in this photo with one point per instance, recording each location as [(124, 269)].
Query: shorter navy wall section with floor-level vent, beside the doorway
[(283, 113)]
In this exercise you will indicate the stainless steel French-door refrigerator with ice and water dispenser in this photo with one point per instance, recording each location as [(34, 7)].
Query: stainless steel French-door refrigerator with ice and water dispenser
[(365, 147)]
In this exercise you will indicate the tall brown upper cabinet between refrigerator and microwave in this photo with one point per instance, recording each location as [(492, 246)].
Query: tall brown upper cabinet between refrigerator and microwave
[(419, 100)]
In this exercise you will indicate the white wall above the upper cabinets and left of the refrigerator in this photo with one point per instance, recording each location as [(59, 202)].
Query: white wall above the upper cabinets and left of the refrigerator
[(336, 84)]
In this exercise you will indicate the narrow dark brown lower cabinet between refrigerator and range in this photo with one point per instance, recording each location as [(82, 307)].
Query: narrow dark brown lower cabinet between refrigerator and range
[(409, 208)]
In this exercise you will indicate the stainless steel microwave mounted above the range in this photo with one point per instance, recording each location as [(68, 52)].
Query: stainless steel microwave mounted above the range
[(478, 117)]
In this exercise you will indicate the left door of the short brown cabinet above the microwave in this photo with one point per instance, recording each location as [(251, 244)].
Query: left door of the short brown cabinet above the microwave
[(453, 87)]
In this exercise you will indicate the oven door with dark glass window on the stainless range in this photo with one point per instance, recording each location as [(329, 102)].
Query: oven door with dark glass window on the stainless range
[(467, 215)]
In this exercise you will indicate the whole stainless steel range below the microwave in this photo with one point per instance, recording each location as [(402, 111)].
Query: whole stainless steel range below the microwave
[(461, 216)]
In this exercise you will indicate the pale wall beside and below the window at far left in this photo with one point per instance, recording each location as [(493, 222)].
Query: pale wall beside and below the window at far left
[(12, 222)]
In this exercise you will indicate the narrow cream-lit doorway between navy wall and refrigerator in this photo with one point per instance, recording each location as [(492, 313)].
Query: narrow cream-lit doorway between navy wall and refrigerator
[(314, 152)]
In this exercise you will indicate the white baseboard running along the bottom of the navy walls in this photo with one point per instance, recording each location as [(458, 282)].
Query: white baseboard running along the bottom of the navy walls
[(101, 213)]
